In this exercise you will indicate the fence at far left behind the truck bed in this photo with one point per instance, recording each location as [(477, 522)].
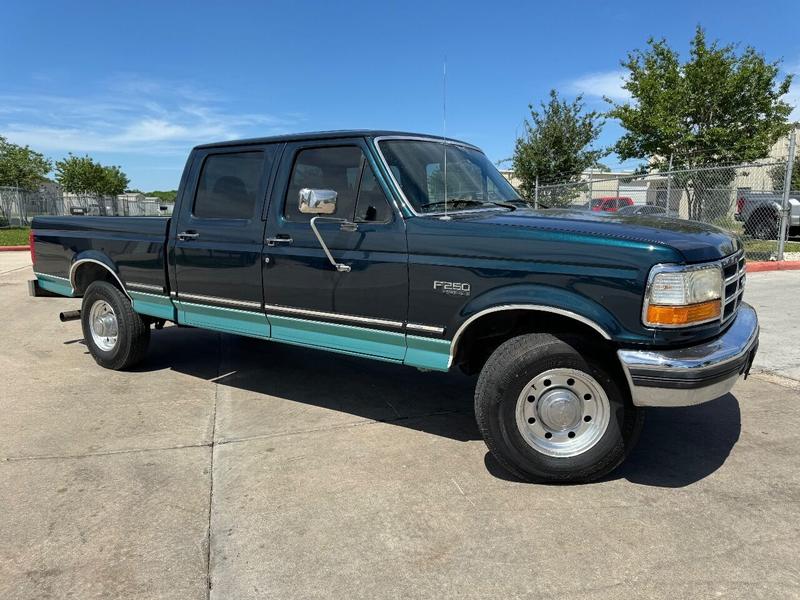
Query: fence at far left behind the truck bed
[(18, 206)]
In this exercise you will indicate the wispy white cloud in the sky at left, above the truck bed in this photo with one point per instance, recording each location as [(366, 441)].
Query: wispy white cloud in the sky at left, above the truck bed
[(131, 115)]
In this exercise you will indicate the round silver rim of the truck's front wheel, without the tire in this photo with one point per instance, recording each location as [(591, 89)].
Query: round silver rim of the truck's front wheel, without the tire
[(562, 412)]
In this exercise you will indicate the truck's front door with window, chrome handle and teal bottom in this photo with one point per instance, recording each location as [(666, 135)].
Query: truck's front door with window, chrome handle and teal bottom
[(308, 301)]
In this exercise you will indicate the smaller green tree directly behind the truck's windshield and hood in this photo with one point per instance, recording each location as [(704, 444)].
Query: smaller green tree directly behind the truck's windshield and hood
[(556, 146)]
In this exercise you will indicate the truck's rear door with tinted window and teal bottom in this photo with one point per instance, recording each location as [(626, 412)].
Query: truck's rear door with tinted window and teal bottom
[(219, 235)]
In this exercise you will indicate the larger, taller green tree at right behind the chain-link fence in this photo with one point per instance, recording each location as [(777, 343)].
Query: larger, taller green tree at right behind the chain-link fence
[(720, 106)]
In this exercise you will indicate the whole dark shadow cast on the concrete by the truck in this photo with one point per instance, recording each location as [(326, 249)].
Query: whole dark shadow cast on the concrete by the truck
[(283, 384)]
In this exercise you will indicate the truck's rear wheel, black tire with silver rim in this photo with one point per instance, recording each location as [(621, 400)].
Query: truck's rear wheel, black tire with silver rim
[(105, 310)]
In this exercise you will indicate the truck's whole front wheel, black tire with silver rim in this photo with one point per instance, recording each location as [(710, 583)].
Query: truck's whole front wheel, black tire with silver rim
[(575, 425)]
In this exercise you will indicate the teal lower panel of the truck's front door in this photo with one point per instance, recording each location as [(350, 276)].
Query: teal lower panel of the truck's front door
[(375, 343)]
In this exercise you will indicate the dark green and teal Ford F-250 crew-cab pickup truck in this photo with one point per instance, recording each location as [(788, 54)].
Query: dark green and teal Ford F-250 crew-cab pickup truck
[(414, 249)]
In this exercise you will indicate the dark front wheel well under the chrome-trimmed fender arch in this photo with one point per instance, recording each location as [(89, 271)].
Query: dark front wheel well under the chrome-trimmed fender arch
[(486, 333)]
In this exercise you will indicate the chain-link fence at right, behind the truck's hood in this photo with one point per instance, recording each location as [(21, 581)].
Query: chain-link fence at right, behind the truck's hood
[(748, 200)]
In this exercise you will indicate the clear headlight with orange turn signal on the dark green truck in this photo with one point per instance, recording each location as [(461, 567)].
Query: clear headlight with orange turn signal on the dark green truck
[(678, 296)]
